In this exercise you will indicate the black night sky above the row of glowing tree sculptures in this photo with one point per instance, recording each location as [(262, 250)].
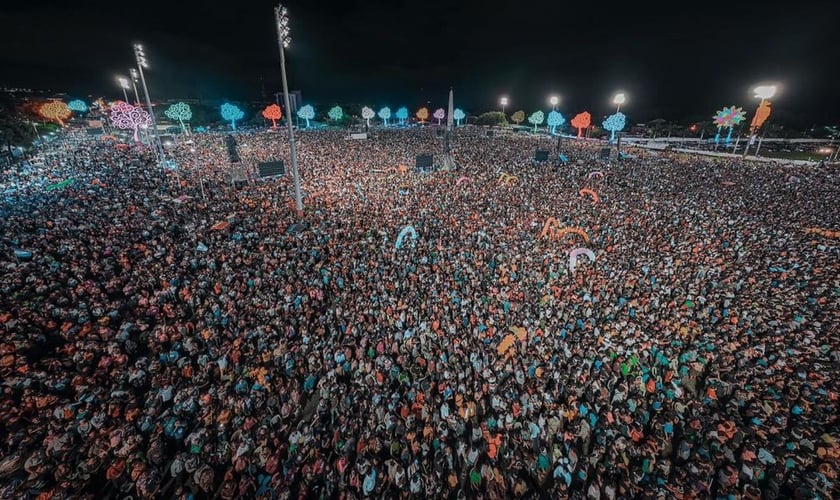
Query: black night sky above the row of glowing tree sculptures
[(680, 61)]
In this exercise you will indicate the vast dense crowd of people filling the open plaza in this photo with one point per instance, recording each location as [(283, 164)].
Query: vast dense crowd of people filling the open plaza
[(187, 337)]
